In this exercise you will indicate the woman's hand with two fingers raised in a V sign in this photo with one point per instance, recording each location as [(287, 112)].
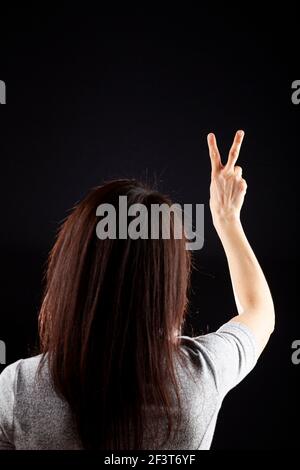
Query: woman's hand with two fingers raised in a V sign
[(228, 188)]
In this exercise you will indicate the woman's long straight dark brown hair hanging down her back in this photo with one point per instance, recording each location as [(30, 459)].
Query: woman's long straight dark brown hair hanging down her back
[(108, 318)]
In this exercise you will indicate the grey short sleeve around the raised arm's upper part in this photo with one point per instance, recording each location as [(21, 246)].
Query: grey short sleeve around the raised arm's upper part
[(230, 354)]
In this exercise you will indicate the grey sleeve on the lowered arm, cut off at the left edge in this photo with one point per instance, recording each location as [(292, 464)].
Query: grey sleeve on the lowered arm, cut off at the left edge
[(7, 395)]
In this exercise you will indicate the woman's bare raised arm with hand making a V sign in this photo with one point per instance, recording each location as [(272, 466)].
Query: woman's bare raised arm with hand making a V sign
[(251, 291)]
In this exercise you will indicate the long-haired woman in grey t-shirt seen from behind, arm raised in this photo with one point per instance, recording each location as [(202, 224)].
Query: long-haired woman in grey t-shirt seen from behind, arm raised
[(115, 372)]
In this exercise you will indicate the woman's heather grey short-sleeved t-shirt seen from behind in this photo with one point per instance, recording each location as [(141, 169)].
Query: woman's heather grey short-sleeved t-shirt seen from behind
[(33, 416)]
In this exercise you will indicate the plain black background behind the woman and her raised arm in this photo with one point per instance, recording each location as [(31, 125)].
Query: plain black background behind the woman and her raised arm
[(91, 96)]
